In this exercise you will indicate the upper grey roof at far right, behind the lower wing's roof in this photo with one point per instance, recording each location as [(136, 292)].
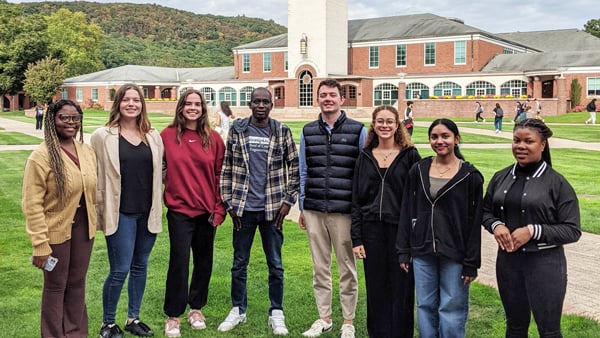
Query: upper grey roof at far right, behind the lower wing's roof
[(555, 40)]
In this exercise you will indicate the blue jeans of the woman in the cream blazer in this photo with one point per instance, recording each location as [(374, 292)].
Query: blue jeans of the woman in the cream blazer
[(128, 252)]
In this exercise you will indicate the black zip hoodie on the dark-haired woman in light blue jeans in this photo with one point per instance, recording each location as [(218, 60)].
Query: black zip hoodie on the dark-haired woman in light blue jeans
[(449, 225)]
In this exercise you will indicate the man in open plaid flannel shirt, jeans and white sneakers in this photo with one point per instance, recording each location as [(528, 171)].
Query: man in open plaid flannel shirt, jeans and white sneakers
[(259, 184)]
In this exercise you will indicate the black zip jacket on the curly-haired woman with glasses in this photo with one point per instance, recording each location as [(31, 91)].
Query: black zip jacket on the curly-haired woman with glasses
[(377, 196)]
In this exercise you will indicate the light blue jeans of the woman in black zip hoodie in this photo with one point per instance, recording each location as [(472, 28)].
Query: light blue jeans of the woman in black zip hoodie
[(442, 298)]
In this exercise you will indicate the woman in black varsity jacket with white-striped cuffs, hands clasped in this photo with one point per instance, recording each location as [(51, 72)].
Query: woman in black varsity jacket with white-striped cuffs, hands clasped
[(532, 211)]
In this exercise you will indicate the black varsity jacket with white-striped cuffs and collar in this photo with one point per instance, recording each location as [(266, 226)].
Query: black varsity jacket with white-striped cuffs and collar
[(548, 202)]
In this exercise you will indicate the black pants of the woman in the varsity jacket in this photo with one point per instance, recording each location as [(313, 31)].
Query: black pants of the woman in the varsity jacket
[(532, 283)]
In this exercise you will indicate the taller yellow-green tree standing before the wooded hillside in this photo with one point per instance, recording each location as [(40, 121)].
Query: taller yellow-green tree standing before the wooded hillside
[(75, 41)]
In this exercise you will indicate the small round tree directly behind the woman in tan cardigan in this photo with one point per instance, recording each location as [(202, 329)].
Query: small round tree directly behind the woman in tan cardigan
[(44, 79)]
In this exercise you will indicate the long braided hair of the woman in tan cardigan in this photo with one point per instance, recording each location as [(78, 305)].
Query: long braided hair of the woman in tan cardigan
[(53, 144)]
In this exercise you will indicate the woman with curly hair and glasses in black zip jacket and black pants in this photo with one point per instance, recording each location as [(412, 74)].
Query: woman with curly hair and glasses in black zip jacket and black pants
[(379, 178)]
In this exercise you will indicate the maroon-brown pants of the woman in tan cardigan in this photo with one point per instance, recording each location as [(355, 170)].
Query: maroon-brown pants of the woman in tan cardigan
[(64, 313)]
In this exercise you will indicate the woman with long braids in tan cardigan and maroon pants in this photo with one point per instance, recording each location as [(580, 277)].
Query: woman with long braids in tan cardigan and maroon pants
[(59, 198)]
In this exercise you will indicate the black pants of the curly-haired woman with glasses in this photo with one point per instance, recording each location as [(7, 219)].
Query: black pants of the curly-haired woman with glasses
[(390, 290)]
